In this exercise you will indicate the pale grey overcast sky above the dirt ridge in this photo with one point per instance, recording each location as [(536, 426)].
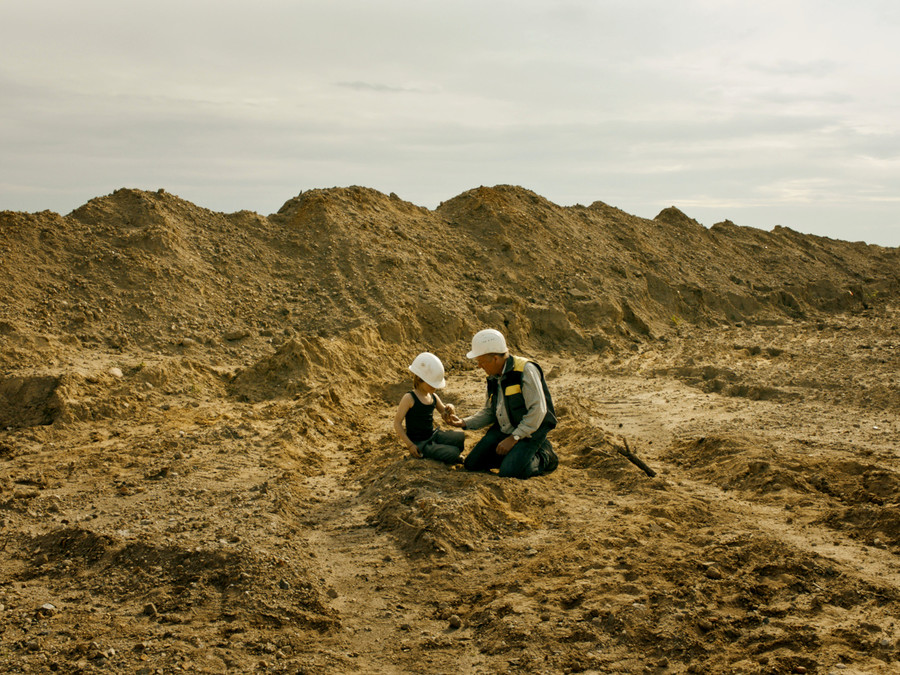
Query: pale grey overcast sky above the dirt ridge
[(761, 112)]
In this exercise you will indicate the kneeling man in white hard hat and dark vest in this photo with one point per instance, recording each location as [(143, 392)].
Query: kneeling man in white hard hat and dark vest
[(518, 409)]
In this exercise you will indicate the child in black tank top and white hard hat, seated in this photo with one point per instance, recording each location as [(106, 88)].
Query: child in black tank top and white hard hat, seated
[(416, 409)]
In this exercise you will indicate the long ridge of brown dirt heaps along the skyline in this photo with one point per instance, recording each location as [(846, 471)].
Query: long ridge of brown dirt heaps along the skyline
[(148, 269)]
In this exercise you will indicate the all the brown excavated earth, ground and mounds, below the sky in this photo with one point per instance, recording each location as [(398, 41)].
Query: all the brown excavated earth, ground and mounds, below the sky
[(198, 471)]
